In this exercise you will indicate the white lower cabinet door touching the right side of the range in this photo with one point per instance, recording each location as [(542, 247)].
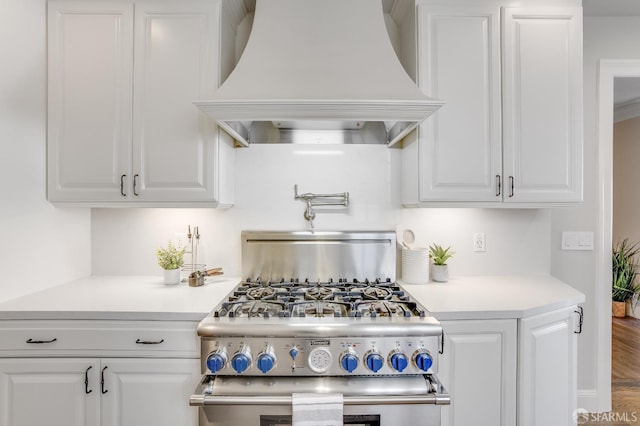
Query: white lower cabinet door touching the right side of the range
[(478, 368)]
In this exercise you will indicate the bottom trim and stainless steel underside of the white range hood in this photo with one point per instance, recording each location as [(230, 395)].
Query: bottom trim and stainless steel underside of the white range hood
[(313, 121)]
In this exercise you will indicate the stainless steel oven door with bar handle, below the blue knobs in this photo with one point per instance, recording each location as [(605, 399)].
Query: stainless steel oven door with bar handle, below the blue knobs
[(368, 400)]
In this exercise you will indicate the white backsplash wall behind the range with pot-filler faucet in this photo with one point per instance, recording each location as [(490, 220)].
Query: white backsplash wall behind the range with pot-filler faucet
[(124, 240)]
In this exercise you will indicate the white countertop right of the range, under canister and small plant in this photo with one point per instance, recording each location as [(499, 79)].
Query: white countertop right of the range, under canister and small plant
[(493, 297)]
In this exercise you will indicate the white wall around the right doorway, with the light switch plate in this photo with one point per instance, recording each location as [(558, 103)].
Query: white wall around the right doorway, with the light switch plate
[(604, 38)]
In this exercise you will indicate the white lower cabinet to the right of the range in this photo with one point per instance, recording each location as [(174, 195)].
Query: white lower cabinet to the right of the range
[(511, 371)]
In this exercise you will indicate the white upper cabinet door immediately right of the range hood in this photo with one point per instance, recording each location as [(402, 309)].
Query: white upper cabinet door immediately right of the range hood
[(459, 62)]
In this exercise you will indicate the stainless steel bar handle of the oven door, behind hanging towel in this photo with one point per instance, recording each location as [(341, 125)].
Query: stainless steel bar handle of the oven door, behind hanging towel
[(437, 395)]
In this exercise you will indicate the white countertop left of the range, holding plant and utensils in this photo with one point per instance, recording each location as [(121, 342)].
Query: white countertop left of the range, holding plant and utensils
[(121, 298)]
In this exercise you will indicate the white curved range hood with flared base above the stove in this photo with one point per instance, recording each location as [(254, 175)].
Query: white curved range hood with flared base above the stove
[(319, 71)]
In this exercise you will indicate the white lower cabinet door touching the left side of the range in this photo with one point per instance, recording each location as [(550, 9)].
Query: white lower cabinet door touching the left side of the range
[(149, 392)]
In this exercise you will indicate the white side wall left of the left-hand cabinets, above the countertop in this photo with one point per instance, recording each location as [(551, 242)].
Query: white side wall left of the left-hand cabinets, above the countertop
[(41, 245)]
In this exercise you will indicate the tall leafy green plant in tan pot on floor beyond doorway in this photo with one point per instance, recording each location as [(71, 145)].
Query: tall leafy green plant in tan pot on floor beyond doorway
[(624, 271)]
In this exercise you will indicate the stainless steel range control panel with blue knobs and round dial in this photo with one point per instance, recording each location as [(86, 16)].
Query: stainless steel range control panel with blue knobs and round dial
[(315, 356)]
